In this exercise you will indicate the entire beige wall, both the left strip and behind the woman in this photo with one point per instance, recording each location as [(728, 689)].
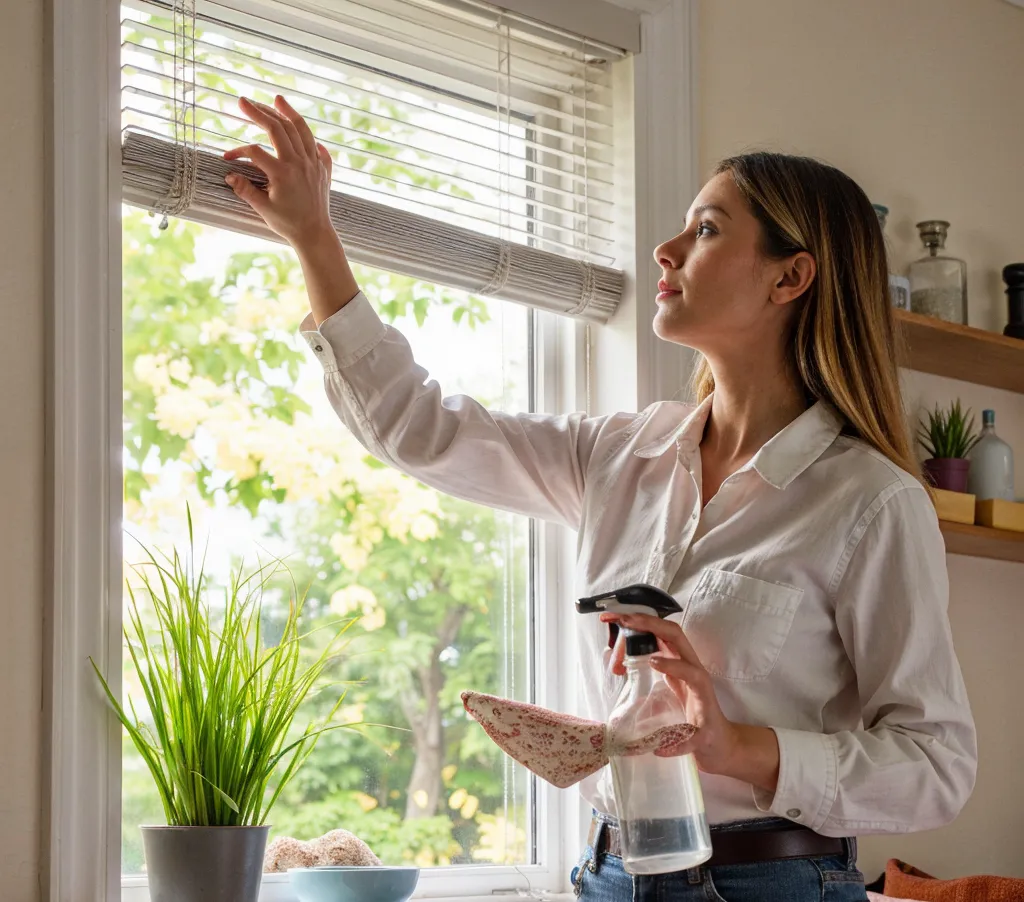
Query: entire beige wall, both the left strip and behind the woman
[(919, 100)]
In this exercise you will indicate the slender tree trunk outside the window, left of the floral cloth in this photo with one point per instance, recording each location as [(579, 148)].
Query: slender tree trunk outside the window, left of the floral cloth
[(423, 712)]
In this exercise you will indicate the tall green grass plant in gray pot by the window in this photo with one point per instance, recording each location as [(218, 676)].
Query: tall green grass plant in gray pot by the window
[(219, 724)]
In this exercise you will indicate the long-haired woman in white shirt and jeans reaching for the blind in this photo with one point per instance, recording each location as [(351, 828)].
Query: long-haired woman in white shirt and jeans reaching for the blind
[(785, 512)]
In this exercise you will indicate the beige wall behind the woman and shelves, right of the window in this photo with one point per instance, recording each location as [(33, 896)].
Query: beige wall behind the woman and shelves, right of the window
[(921, 102)]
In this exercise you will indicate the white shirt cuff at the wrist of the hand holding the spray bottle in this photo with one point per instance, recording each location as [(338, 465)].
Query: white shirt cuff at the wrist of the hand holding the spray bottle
[(807, 779)]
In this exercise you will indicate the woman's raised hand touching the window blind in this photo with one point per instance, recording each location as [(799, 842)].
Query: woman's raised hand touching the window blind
[(295, 203)]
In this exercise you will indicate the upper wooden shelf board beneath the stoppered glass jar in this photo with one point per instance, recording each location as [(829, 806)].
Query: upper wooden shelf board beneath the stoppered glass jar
[(963, 353)]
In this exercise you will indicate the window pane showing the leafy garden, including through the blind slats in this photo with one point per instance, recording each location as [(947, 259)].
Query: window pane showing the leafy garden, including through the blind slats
[(225, 410)]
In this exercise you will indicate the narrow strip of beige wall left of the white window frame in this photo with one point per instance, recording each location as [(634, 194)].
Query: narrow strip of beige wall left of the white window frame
[(22, 372)]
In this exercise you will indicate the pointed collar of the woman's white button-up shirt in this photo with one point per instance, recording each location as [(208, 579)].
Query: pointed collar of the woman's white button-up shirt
[(782, 459)]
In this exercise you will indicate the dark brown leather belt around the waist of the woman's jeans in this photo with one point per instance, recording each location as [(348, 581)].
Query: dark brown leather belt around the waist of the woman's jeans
[(737, 847)]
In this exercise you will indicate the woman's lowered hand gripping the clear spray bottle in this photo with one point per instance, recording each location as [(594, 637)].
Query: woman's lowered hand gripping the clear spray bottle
[(720, 746)]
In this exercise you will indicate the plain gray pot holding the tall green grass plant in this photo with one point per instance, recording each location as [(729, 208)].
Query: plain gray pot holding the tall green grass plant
[(204, 865)]
